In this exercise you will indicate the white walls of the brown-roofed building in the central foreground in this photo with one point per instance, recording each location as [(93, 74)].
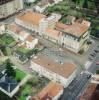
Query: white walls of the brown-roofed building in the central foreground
[(51, 75)]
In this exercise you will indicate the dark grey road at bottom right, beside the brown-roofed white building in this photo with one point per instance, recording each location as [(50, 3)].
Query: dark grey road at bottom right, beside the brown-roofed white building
[(74, 89)]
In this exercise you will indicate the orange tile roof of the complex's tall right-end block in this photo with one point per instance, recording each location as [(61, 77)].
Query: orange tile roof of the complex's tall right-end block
[(77, 29)]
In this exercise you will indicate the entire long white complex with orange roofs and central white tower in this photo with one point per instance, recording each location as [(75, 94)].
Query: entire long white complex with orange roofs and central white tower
[(74, 36)]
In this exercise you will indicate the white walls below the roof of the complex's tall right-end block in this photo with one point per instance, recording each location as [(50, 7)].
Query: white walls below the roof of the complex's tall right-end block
[(74, 43)]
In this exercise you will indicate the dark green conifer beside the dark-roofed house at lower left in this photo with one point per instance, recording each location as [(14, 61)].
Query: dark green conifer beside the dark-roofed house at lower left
[(9, 69)]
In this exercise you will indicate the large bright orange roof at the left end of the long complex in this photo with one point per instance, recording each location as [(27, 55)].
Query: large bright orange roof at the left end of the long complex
[(31, 17)]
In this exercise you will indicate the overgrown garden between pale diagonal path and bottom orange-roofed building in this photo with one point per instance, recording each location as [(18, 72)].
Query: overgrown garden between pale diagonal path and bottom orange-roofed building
[(32, 87)]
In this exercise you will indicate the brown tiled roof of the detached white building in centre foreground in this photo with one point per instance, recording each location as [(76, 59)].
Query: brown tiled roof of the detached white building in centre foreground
[(65, 69)]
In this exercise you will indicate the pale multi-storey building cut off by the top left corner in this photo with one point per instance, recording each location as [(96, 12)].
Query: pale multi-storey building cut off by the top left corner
[(9, 7)]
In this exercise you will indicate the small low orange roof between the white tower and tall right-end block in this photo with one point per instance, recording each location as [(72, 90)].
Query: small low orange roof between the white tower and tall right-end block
[(53, 33)]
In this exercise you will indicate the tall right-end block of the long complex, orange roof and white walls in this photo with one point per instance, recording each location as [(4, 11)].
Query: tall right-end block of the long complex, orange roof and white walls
[(75, 36)]
